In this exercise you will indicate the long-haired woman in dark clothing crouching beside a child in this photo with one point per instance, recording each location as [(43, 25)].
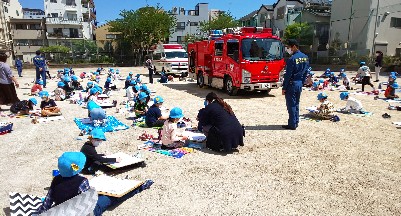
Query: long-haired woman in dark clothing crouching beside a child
[(225, 132)]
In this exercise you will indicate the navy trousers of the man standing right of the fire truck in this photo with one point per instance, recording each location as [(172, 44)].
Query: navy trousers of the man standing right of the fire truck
[(292, 95)]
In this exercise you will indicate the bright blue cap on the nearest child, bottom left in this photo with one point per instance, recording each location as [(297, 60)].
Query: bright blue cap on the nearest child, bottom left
[(71, 163)]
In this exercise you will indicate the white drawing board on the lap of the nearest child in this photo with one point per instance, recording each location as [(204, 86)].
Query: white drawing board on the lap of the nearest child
[(110, 186)]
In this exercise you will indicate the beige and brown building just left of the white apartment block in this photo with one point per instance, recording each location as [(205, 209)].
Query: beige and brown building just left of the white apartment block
[(29, 35)]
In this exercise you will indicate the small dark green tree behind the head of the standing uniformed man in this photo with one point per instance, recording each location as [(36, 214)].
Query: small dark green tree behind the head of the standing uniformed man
[(302, 32)]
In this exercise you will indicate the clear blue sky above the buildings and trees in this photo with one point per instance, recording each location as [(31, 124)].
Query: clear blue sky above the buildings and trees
[(109, 9)]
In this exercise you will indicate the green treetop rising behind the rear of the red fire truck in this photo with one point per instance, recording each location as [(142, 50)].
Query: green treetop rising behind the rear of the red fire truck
[(222, 21)]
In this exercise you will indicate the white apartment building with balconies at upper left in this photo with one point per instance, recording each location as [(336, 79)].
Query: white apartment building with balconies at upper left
[(68, 20)]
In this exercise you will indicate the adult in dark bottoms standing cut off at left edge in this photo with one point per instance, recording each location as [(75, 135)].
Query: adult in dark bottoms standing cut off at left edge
[(8, 82)]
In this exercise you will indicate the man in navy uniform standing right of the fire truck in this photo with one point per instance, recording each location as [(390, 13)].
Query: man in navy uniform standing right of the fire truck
[(296, 71)]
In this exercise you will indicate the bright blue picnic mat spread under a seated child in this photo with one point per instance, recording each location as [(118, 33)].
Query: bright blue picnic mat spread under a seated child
[(112, 124)]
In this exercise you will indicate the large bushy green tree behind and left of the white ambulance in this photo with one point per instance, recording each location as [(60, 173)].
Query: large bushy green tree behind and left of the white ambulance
[(144, 27)]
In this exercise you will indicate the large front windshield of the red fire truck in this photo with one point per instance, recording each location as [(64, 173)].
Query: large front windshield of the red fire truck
[(261, 49)]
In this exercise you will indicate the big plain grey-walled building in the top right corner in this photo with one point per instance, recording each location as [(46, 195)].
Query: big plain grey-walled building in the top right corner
[(366, 26)]
